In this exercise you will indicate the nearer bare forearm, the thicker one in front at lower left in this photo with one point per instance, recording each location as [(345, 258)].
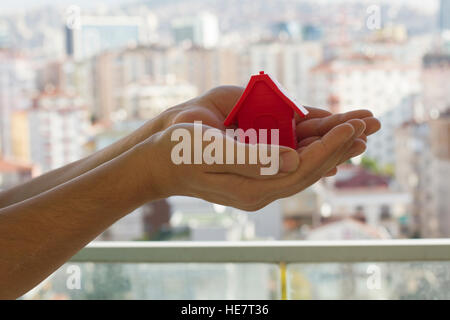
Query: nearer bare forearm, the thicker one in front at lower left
[(39, 234)]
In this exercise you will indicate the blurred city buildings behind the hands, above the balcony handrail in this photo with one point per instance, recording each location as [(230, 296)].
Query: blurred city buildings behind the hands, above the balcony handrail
[(75, 78)]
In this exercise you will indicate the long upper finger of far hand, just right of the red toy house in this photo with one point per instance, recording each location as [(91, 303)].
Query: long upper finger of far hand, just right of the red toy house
[(320, 126)]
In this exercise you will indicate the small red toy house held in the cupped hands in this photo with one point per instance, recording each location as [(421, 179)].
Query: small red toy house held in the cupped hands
[(266, 105)]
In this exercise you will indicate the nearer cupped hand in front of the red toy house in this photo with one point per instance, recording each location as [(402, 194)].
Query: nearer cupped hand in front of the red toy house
[(242, 185)]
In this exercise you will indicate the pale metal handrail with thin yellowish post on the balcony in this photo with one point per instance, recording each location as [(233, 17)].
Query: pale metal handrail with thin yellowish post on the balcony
[(277, 252)]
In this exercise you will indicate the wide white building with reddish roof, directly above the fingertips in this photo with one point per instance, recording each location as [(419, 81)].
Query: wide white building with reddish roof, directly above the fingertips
[(379, 83)]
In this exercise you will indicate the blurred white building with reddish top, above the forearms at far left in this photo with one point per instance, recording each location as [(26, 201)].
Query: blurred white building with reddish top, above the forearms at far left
[(58, 125)]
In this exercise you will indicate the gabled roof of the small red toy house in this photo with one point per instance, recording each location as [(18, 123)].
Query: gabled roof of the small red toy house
[(277, 89)]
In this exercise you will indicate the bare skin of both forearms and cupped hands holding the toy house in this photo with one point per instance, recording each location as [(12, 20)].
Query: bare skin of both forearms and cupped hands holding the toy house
[(47, 220)]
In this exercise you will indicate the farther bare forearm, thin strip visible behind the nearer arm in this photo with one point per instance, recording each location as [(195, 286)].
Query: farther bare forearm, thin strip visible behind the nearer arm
[(56, 177)]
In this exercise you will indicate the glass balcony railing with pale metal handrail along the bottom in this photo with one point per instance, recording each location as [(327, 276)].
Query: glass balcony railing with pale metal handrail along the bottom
[(397, 269)]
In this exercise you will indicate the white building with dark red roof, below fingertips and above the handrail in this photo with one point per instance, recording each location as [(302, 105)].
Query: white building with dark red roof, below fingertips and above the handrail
[(355, 192)]
